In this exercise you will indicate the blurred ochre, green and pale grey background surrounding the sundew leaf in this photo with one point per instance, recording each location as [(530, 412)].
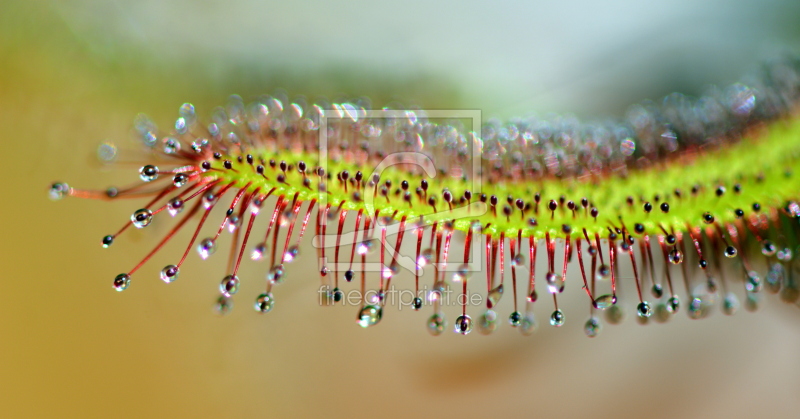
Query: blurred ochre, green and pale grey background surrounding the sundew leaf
[(74, 74)]
